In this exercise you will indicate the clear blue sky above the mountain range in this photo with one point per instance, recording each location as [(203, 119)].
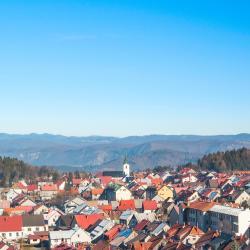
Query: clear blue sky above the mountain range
[(125, 67)]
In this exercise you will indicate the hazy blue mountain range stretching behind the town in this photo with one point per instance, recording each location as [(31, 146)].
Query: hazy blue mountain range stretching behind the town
[(95, 153)]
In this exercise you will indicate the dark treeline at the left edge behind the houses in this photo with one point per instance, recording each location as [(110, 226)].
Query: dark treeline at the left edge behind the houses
[(12, 170)]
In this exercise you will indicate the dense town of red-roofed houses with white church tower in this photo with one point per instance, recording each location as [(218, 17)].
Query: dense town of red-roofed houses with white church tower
[(163, 209)]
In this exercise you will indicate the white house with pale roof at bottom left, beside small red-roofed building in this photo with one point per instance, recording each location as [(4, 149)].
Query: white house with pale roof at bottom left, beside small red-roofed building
[(71, 237)]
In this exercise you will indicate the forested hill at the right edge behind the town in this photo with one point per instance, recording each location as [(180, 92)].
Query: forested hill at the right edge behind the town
[(226, 161)]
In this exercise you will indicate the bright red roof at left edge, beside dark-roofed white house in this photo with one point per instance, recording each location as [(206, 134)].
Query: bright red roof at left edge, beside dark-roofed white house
[(11, 223)]
